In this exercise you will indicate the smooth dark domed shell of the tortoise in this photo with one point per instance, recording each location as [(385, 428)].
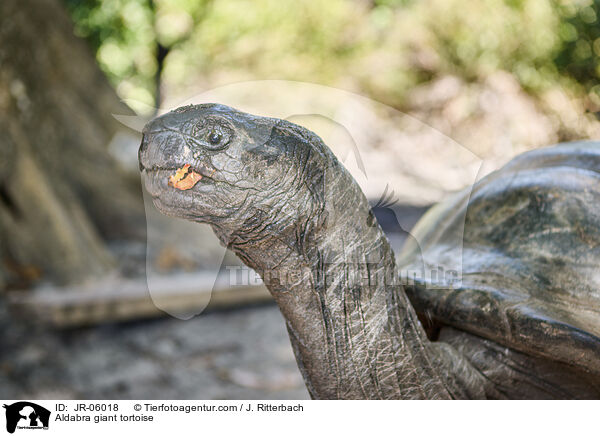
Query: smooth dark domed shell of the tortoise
[(517, 256)]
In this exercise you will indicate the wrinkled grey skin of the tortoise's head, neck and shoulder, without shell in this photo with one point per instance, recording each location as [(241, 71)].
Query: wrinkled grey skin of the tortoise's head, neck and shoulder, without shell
[(275, 195)]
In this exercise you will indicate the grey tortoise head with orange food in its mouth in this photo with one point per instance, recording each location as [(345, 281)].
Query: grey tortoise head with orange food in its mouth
[(245, 170)]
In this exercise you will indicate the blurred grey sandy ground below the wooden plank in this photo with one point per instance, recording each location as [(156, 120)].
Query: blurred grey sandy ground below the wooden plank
[(241, 354)]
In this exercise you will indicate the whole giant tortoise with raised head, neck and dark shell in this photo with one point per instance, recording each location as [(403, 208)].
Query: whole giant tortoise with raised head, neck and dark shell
[(521, 319)]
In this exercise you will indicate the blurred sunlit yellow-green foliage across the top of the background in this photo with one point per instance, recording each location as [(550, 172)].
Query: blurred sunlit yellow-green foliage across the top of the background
[(380, 47)]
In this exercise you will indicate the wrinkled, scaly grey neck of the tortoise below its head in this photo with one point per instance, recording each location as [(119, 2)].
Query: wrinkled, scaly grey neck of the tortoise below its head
[(353, 330)]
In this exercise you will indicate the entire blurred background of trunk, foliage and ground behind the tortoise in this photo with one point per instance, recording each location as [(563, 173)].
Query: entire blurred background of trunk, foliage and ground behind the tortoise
[(492, 78)]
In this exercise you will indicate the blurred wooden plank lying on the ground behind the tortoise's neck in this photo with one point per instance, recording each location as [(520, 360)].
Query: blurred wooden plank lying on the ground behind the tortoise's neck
[(125, 300)]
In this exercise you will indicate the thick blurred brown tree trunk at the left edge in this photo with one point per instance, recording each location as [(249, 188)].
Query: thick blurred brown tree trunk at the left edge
[(62, 196)]
